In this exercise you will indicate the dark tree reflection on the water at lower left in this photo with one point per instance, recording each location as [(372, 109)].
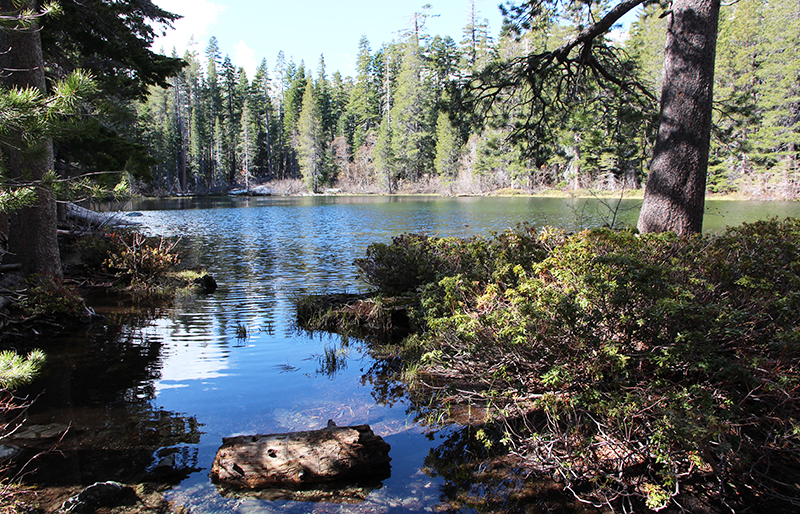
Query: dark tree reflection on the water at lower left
[(101, 385)]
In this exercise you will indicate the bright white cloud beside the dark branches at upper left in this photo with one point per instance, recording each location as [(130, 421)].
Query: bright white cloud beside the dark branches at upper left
[(198, 16)]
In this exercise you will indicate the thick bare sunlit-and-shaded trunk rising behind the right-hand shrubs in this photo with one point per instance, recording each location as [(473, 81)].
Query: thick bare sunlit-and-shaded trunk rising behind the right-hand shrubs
[(675, 193)]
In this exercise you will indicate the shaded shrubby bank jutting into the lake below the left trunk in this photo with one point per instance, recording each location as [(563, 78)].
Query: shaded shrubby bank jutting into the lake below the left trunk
[(113, 260)]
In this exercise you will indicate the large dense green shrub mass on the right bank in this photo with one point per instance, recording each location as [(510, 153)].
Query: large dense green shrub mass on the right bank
[(639, 370)]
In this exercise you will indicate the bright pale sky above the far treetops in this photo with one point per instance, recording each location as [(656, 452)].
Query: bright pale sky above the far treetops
[(249, 30)]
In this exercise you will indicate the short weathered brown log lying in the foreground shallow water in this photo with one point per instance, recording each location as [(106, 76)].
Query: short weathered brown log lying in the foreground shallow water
[(299, 458)]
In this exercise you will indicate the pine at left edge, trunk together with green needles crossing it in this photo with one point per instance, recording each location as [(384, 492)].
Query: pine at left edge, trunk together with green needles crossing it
[(26, 143)]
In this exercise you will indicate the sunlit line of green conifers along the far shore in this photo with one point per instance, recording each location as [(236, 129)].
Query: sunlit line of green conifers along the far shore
[(405, 122)]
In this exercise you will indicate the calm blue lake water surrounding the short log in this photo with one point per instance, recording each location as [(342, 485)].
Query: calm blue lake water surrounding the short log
[(154, 391)]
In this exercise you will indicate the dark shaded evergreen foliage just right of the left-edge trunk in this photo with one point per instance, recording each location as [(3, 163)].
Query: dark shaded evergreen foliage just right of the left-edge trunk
[(113, 42)]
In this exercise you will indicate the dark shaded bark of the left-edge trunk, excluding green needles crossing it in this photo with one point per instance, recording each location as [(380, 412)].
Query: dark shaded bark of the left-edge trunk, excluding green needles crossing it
[(32, 237)]
